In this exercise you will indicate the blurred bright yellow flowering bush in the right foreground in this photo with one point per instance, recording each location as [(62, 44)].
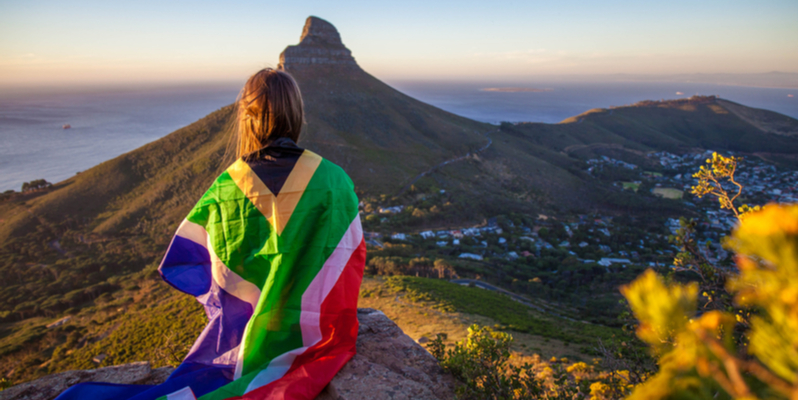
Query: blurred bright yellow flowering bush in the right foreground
[(699, 356)]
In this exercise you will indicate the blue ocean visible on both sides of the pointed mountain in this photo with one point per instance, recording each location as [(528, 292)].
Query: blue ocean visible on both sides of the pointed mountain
[(108, 122)]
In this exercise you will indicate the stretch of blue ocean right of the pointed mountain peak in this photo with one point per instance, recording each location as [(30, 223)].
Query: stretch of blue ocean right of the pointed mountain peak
[(560, 100)]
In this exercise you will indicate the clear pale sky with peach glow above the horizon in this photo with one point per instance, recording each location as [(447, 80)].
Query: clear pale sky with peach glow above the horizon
[(129, 41)]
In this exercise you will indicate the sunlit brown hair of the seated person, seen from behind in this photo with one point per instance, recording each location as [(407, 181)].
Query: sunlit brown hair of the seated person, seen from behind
[(269, 106)]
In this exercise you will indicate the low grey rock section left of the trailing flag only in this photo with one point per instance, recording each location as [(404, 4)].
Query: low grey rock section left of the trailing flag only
[(52, 385)]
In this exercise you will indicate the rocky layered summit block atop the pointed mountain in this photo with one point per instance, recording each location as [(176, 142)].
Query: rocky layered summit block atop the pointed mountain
[(320, 44)]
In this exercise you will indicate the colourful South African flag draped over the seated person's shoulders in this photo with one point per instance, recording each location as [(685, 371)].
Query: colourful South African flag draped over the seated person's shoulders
[(275, 253)]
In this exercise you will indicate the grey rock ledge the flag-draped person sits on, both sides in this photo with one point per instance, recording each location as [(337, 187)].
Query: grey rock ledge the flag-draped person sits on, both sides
[(388, 365)]
